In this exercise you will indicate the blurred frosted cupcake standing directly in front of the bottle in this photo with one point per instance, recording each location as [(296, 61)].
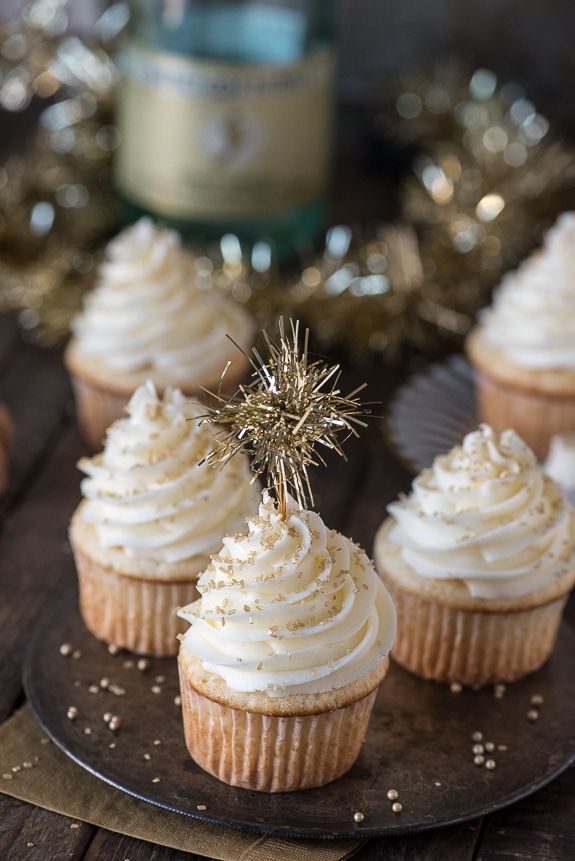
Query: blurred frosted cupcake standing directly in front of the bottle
[(146, 319)]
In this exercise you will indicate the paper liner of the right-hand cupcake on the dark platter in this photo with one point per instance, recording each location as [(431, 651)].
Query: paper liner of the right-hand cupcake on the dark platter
[(474, 648)]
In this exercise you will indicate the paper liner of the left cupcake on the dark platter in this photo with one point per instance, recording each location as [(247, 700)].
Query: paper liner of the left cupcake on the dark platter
[(131, 613)]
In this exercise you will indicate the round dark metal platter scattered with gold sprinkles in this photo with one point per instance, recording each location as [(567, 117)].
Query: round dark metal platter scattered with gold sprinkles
[(419, 741)]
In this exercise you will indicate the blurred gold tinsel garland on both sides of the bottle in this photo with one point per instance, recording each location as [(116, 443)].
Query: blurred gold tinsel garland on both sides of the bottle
[(488, 177)]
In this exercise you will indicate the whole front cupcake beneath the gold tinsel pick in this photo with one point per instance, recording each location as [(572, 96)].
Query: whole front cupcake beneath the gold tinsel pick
[(286, 649)]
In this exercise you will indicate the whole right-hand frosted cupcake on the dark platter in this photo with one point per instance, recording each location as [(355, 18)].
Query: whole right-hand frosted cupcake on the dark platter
[(479, 559)]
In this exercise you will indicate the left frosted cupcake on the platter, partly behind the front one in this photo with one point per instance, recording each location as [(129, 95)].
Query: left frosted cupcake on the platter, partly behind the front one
[(151, 516)]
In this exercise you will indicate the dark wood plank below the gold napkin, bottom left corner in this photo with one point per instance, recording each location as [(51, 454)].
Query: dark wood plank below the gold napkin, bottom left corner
[(28, 833)]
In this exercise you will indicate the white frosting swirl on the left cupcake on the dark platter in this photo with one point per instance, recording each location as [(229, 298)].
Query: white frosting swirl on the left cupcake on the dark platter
[(146, 492)]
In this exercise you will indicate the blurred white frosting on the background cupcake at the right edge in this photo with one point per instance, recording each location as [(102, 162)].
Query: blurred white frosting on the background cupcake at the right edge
[(532, 318)]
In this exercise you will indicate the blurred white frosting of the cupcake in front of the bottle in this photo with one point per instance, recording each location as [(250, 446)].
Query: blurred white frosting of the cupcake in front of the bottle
[(146, 315)]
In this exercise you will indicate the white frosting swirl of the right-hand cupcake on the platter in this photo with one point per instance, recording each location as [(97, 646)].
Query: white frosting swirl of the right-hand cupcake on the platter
[(485, 515)]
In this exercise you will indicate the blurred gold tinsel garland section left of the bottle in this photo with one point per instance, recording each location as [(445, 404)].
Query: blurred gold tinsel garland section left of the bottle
[(55, 200)]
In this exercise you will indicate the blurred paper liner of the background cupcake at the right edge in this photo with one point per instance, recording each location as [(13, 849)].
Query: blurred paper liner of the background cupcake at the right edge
[(535, 417)]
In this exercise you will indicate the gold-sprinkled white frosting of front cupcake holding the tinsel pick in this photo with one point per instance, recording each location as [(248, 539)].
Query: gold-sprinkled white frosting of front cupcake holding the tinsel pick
[(289, 607)]
